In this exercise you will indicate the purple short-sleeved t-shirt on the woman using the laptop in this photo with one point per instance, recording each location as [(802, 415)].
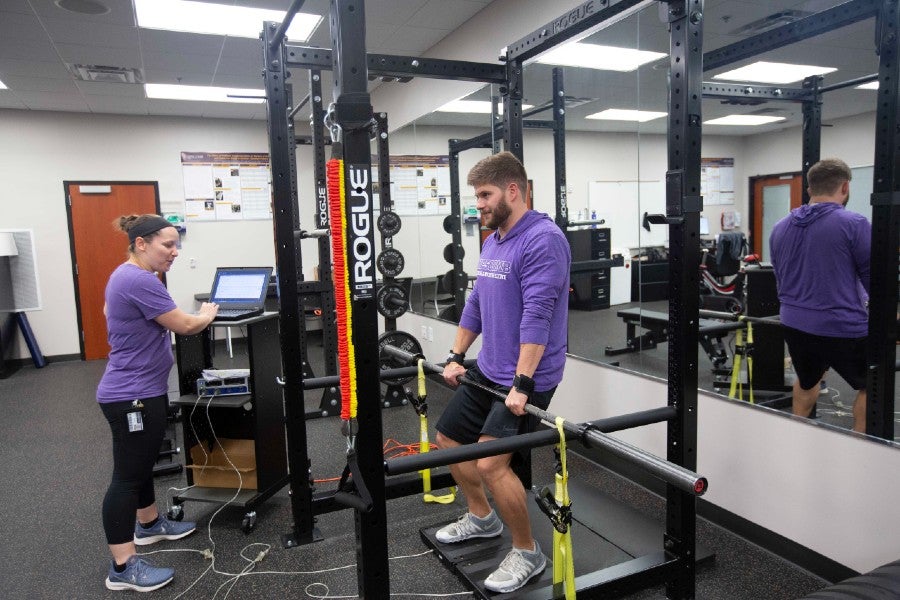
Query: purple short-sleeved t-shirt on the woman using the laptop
[(141, 349)]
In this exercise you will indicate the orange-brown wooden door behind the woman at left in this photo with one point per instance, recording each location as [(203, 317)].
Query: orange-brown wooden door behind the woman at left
[(98, 248)]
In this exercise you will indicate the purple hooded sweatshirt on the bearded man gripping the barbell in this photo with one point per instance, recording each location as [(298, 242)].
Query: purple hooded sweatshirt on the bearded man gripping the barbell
[(521, 296)]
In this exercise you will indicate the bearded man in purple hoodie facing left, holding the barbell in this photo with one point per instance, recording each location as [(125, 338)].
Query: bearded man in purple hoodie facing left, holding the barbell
[(520, 308)]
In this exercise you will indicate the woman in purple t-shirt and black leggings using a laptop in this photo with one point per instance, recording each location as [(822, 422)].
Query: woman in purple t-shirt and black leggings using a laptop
[(140, 313)]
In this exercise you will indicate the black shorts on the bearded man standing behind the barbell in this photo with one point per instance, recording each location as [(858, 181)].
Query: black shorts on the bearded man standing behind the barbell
[(473, 412)]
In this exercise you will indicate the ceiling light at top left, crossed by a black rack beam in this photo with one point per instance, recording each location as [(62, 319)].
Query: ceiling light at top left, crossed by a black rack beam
[(219, 19)]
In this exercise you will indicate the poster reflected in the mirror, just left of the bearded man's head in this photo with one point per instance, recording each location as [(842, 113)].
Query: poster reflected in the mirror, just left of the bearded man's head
[(420, 184)]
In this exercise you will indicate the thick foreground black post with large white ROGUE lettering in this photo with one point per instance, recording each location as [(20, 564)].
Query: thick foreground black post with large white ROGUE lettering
[(353, 117)]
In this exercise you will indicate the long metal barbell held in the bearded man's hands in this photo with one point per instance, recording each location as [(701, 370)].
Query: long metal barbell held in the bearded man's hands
[(675, 475)]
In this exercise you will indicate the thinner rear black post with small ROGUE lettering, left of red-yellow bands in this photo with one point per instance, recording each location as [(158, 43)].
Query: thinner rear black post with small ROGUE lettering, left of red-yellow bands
[(331, 396)]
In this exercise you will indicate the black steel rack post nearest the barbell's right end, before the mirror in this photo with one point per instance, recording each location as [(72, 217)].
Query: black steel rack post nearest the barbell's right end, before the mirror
[(683, 206)]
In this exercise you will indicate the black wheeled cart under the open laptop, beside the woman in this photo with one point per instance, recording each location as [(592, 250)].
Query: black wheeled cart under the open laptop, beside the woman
[(257, 416)]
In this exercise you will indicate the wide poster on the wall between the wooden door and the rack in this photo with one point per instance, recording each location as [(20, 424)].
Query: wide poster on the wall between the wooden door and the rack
[(226, 186)]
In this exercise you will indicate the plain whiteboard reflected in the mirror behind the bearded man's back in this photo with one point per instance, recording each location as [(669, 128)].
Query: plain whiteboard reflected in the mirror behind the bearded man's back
[(623, 204)]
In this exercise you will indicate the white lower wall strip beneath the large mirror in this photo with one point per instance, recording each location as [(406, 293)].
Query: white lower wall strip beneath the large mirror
[(832, 491)]
